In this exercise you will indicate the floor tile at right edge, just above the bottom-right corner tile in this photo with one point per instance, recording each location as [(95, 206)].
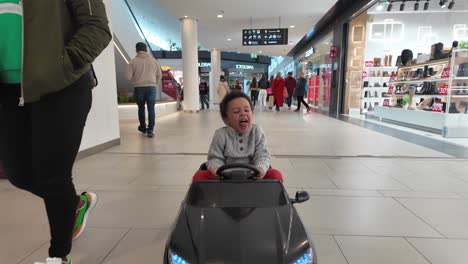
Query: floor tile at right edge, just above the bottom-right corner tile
[(449, 217)]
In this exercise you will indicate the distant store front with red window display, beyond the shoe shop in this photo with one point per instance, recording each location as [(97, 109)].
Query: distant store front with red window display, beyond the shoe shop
[(318, 67)]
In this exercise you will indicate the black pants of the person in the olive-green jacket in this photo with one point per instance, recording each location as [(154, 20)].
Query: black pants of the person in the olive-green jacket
[(38, 146)]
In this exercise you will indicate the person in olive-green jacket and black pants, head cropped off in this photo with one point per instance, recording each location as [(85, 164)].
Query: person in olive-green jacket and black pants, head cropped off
[(45, 97)]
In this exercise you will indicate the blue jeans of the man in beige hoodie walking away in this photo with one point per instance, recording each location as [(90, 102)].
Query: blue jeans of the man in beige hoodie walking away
[(146, 96)]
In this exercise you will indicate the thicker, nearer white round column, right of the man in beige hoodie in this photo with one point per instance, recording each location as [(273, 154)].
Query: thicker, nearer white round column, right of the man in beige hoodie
[(190, 63)]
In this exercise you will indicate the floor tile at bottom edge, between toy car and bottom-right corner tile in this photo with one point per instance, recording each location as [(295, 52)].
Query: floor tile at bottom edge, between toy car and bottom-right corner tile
[(382, 250)]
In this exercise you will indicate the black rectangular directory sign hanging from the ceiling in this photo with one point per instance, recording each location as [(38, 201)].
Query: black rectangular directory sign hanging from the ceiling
[(256, 37)]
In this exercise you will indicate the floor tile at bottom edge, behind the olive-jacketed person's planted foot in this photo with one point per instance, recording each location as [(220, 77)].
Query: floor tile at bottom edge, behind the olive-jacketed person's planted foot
[(91, 248)]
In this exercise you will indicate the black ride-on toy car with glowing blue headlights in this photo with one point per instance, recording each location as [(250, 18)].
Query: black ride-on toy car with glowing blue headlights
[(239, 220)]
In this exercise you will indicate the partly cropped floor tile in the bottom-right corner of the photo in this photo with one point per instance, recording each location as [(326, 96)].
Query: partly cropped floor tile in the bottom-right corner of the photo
[(442, 251)]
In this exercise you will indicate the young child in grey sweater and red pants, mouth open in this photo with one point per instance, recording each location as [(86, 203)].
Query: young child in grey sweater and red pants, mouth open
[(240, 141)]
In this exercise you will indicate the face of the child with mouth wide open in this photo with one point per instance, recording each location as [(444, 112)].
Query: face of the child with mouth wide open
[(239, 115)]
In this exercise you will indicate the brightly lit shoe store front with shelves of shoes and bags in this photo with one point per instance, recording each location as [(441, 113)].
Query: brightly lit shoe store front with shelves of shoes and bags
[(406, 64)]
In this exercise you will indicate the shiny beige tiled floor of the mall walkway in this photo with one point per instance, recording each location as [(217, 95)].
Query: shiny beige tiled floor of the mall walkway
[(375, 199)]
